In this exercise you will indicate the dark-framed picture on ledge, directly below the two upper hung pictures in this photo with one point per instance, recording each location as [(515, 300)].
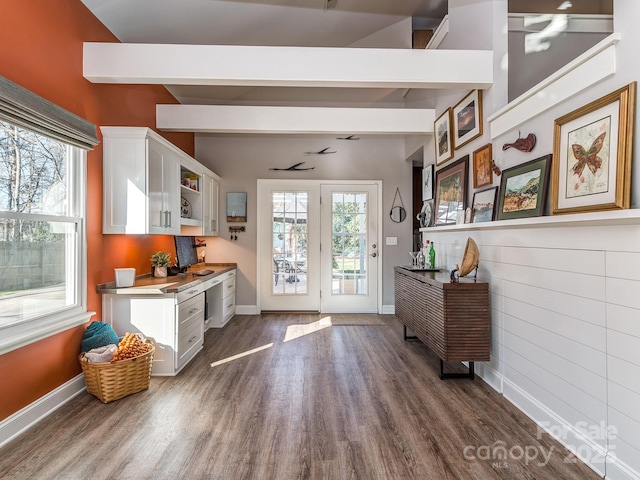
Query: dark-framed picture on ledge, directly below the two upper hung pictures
[(451, 191)]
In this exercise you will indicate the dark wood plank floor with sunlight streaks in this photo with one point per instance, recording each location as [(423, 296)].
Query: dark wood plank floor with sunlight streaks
[(304, 401)]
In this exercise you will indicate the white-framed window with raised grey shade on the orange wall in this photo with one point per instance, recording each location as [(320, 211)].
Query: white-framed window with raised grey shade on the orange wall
[(42, 220)]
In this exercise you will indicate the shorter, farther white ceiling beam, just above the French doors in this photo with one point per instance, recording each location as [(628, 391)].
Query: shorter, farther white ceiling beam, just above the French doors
[(293, 120)]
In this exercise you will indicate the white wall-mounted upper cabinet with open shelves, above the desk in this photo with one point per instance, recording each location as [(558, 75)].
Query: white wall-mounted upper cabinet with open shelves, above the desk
[(151, 186)]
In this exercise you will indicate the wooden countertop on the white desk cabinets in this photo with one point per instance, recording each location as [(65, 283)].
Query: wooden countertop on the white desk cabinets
[(172, 284)]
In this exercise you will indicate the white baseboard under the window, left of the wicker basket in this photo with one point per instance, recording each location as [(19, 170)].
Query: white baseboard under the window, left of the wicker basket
[(20, 421)]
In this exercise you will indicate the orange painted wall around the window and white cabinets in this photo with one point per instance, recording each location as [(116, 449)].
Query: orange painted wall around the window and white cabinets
[(41, 50)]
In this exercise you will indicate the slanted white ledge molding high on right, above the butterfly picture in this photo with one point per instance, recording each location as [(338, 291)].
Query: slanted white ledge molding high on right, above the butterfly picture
[(593, 66)]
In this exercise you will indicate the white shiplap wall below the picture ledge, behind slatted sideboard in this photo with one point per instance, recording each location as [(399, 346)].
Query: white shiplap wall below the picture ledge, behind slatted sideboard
[(565, 327)]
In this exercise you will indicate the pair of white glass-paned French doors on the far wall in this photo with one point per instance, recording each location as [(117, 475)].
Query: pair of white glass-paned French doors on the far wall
[(313, 261)]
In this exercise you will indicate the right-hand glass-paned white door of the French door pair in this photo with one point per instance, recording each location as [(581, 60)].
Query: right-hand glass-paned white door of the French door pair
[(350, 252)]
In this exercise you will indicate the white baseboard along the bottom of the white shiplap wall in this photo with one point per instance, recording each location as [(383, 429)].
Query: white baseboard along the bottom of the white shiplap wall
[(567, 434)]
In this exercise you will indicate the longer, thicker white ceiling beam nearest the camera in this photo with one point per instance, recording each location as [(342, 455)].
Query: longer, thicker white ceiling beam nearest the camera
[(286, 66)]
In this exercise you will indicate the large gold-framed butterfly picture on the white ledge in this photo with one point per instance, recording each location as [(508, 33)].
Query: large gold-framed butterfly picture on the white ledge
[(593, 150)]
